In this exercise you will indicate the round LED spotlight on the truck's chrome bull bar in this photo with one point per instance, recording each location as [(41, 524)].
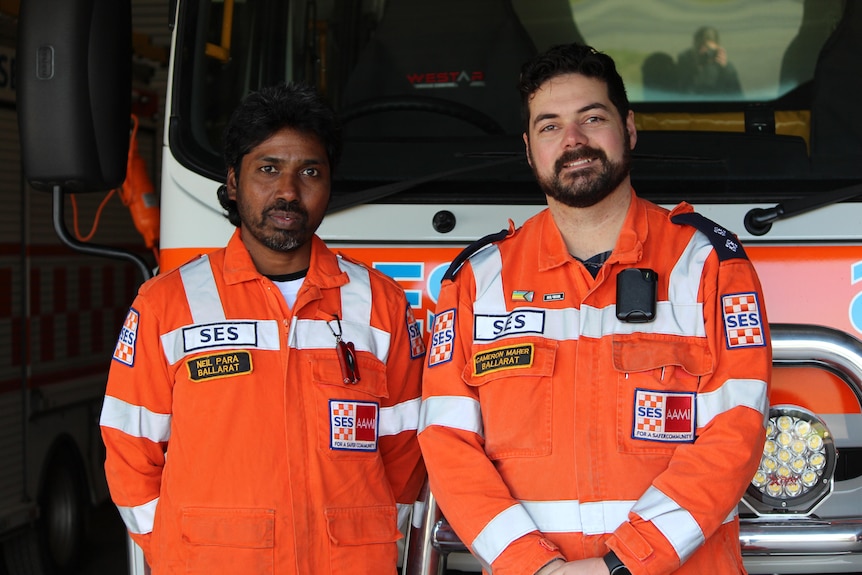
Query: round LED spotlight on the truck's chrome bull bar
[(795, 472)]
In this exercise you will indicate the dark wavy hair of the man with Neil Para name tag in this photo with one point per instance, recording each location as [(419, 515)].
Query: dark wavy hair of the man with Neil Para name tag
[(263, 113)]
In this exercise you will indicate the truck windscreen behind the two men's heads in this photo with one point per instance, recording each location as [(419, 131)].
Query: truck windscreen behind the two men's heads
[(430, 86)]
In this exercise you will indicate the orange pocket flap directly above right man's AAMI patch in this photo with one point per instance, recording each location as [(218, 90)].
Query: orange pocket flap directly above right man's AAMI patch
[(638, 352)]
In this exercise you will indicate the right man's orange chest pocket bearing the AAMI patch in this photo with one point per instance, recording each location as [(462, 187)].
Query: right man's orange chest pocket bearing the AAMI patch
[(658, 377)]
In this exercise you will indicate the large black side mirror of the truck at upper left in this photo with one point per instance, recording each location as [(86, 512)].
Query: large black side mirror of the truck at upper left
[(74, 93)]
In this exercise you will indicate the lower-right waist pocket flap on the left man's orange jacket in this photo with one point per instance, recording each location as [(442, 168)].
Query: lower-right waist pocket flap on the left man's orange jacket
[(362, 525)]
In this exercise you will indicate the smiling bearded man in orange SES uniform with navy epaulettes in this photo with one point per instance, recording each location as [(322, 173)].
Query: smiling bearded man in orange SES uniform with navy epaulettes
[(601, 373)]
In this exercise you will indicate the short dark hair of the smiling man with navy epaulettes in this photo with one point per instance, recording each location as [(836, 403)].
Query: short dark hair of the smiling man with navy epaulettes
[(571, 59)]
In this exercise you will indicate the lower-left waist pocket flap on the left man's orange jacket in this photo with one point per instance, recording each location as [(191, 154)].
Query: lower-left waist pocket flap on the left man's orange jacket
[(249, 528)]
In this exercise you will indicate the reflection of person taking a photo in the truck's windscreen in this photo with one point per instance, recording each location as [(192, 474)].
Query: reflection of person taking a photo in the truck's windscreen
[(704, 68)]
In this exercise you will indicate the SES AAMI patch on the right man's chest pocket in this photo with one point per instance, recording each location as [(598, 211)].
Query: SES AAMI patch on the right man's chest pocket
[(664, 416)]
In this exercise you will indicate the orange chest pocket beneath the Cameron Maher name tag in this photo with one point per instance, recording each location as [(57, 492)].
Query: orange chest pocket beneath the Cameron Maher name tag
[(514, 381)]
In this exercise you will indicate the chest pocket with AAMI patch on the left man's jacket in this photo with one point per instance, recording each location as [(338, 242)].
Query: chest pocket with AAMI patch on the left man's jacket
[(347, 414)]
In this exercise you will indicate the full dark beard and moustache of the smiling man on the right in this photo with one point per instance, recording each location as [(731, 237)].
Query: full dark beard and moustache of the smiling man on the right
[(587, 187)]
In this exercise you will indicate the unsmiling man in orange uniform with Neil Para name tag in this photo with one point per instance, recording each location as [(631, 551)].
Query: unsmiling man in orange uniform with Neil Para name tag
[(262, 405)]
